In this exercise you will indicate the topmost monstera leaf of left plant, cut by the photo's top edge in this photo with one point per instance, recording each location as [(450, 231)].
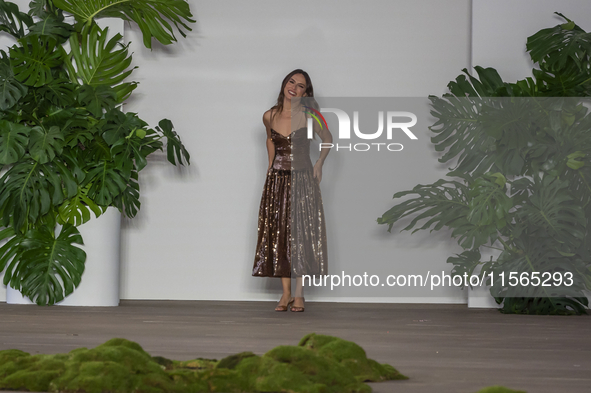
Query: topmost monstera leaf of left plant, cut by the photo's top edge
[(154, 17)]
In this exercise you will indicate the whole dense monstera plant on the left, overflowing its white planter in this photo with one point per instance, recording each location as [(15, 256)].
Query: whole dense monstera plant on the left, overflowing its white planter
[(67, 150)]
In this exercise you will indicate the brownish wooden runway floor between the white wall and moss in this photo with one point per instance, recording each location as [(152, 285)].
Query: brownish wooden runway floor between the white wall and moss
[(442, 348)]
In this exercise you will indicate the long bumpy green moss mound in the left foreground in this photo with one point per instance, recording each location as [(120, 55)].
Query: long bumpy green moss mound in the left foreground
[(321, 364)]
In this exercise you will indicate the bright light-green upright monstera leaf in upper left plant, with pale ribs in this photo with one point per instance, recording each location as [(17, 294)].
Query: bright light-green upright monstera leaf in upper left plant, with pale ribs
[(98, 62)]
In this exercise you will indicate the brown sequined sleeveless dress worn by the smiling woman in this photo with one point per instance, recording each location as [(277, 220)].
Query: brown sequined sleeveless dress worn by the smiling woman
[(291, 239)]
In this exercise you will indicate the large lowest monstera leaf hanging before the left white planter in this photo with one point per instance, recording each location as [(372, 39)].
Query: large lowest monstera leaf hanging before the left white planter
[(48, 268)]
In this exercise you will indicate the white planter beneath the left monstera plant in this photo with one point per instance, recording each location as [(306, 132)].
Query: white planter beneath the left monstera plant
[(100, 282)]
